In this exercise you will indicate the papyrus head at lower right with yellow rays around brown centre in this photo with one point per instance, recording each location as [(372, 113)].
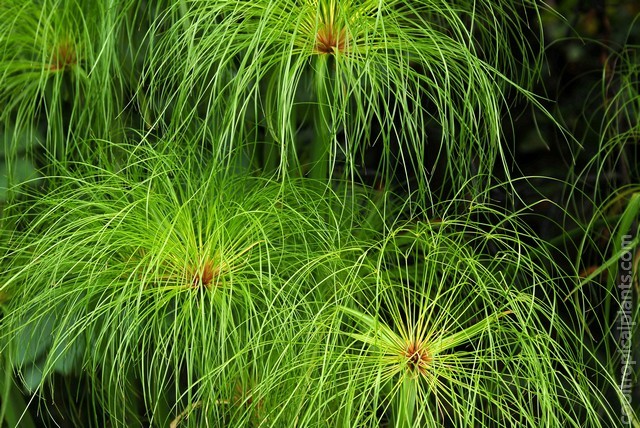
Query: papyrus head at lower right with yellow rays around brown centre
[(446, 333)]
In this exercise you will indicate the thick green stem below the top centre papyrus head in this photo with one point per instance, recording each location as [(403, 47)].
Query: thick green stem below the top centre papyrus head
[(322, 122)]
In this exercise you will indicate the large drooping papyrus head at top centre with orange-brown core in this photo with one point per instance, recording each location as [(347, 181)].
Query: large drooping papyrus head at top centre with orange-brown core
[(424, 82)]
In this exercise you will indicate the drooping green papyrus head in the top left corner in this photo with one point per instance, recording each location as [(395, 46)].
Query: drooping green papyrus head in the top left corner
[(65, 70)]
